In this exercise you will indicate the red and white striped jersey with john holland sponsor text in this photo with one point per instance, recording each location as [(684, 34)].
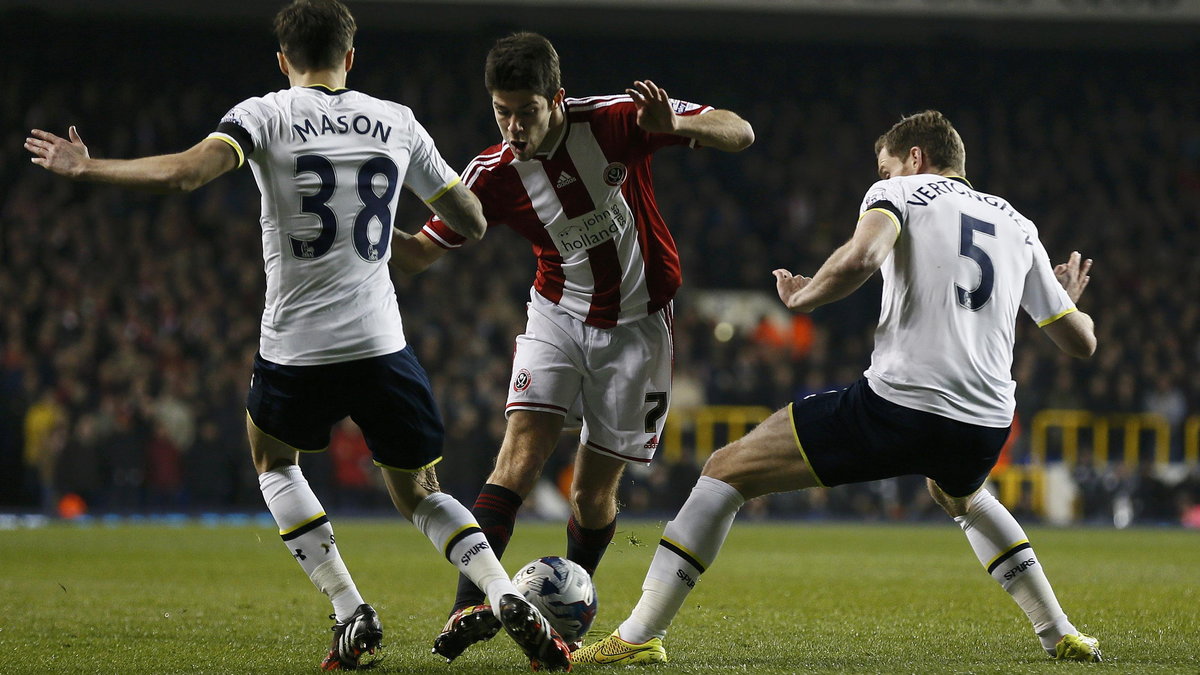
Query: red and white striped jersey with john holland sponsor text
[(587, 207)]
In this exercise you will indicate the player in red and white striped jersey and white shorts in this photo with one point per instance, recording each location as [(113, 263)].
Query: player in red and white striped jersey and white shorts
[(573, 176)]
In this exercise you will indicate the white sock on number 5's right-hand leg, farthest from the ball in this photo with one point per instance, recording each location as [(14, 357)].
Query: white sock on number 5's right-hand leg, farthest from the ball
[(1005, 552)]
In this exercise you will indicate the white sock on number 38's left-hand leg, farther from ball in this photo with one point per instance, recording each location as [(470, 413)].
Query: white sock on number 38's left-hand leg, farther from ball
[(309, 536)]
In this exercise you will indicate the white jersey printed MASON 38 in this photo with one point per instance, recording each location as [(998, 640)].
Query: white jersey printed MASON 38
[(329, 165)]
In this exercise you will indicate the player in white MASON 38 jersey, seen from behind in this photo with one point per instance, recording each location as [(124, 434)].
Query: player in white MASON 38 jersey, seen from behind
[(329, 163)]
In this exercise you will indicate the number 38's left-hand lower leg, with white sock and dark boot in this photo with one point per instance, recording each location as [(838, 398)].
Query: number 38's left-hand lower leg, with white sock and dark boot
[(309, 536)]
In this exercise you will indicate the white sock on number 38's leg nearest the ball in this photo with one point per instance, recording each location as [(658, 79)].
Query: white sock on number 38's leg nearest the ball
[(454, 531)]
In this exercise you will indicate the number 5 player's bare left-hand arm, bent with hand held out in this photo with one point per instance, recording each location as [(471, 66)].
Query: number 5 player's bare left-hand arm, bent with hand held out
[(845, 271)]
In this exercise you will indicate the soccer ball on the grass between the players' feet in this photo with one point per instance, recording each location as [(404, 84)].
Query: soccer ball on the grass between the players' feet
[(562, 592)]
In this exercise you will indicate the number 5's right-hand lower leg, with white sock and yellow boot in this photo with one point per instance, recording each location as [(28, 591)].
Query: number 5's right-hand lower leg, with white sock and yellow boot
[(1003, 548)]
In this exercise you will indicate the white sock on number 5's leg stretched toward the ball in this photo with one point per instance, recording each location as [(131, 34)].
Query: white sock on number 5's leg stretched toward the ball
[(688, 548)]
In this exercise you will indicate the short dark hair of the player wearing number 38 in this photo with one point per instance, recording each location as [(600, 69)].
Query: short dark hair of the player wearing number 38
[(315, 34)]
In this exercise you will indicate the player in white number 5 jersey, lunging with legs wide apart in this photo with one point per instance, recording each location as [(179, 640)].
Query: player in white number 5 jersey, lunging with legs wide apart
[(937, 401)]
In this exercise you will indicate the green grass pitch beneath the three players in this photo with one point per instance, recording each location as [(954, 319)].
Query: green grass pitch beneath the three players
[(782, 599)]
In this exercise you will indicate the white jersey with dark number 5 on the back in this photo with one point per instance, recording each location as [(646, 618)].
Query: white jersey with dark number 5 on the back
[(963, 264)]
